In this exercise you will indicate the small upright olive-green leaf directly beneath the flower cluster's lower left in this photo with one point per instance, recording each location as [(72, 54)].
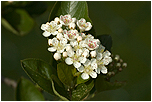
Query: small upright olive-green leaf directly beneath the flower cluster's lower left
[(65, 74)]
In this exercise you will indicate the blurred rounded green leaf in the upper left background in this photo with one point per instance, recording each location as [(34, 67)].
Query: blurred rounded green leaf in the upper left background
[(18, 21)]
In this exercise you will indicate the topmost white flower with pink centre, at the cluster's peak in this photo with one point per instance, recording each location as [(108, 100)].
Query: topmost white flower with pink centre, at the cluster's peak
[(66, 20)]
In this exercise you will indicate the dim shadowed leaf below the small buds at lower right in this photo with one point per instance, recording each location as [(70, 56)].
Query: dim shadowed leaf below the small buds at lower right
[(102, 85)]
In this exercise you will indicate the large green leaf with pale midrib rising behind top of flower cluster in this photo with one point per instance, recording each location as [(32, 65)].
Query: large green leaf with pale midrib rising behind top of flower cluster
[(77, 9)]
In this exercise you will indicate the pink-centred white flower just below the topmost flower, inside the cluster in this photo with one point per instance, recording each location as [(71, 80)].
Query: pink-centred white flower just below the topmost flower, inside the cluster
[(71, 34)]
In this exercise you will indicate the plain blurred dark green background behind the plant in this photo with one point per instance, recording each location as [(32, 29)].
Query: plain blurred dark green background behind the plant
[(129, 24)]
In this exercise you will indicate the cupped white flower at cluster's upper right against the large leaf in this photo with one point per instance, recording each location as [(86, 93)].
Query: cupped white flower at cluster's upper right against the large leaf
[(83, 25)]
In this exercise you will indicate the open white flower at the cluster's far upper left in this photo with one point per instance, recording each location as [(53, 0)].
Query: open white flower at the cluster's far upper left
[(50, 28)]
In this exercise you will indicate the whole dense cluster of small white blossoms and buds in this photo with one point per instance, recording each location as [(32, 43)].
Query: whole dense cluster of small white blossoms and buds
[(82, 50)]
